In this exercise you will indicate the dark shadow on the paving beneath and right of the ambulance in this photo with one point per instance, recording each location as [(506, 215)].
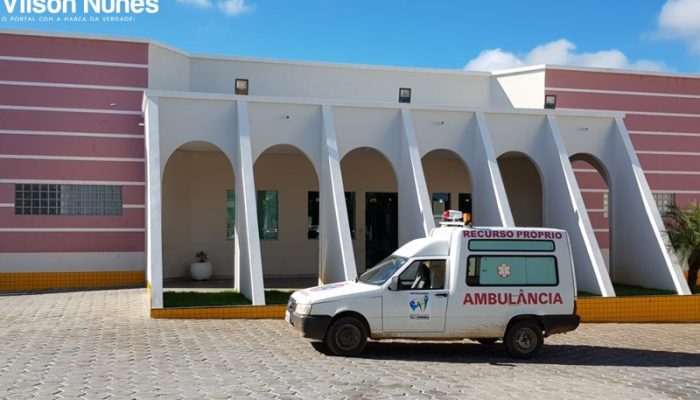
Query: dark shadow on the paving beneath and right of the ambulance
[(558, 354)]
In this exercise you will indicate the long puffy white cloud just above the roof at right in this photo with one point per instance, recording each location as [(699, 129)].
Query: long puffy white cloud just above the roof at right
[(558, 52)]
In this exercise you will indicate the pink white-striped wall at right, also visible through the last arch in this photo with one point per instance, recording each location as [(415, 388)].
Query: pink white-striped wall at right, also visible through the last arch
[(665, 127)]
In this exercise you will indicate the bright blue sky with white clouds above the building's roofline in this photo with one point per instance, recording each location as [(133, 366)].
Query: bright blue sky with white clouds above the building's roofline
[(647, 34)]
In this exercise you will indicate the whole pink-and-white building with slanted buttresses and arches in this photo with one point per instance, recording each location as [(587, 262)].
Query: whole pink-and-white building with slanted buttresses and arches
[(119, 156)]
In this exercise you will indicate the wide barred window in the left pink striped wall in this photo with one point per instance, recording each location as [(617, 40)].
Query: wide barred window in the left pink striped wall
[(59, 199)]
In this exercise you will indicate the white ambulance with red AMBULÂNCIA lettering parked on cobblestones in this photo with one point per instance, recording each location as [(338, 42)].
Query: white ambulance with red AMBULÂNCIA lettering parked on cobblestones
[(485, 284)]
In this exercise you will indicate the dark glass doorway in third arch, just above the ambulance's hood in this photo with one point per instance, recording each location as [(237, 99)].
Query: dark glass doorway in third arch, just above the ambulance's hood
[(381, 226)]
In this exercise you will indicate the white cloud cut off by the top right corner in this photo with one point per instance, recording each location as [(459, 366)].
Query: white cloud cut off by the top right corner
[(680, 19)]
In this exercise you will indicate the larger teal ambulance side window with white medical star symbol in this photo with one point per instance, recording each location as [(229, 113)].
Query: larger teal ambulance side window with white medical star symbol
[(500, 270)]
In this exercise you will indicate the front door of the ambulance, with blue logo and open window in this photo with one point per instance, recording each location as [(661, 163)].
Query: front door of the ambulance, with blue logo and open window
[(418, 302)]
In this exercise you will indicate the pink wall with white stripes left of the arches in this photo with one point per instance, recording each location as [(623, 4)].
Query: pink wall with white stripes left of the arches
[(94, 97)]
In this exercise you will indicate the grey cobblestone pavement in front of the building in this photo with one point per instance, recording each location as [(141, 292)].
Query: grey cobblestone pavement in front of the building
[(101, 344)]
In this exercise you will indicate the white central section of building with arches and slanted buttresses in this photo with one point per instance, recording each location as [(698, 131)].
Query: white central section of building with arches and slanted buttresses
[(342, 136)]
